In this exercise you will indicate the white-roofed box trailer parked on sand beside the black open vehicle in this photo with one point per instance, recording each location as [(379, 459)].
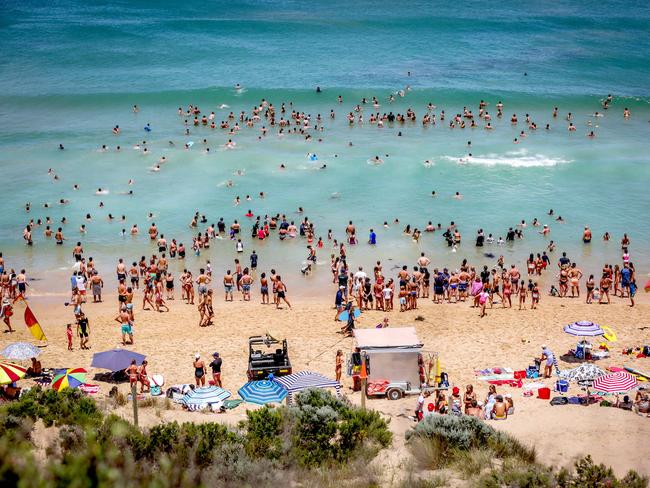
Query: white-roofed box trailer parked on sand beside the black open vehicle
[(395, 362)]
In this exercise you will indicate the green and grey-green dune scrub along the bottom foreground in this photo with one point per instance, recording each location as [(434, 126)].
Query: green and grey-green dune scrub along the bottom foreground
[(67, 439)]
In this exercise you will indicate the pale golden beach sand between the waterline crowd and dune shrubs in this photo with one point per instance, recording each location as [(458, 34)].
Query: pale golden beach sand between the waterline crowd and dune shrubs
[(506, 338)]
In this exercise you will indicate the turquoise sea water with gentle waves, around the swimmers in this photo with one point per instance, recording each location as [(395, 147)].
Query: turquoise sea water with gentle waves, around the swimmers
[(70, 71)]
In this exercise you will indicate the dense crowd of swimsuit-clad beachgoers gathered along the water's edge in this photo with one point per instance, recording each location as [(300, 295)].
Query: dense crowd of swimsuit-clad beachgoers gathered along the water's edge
[(482, 287)]
